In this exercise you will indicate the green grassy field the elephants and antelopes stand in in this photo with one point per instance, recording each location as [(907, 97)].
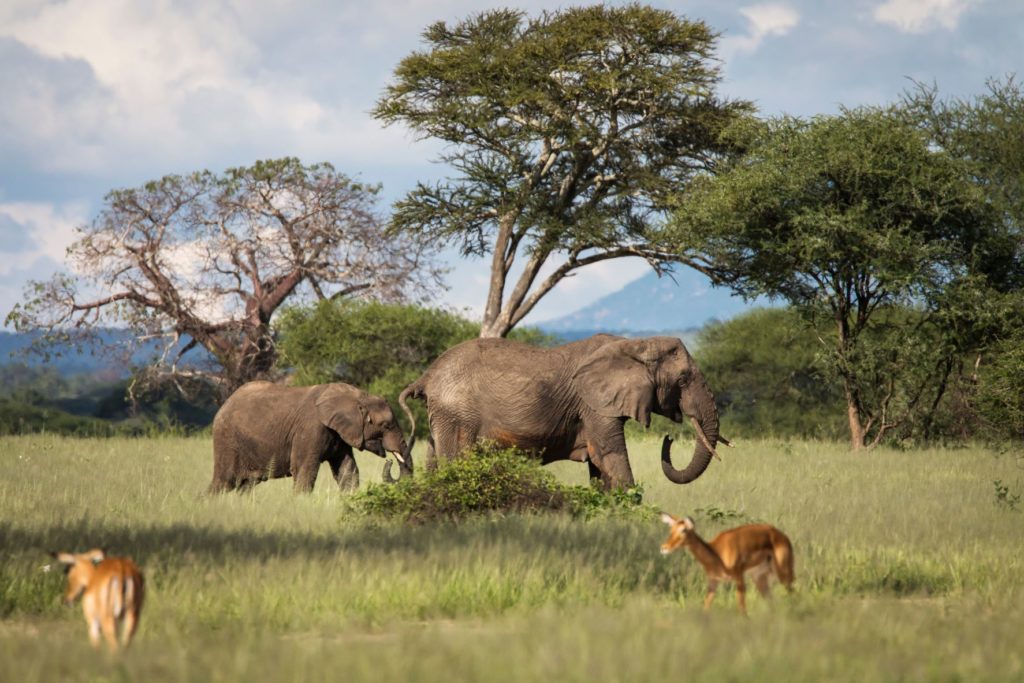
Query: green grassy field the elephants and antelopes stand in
[(910, 568)]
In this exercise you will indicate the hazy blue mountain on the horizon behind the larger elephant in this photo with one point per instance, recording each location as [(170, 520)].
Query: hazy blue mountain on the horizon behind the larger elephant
[(652, 305)]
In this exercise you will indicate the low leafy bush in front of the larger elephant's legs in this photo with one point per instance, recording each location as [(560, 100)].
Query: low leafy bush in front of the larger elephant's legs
[(488, 480)]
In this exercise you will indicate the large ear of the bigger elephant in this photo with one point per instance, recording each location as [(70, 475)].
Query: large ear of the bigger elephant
[(616, 381)]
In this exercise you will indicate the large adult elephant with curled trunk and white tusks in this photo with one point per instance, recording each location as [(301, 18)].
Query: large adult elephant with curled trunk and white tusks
[(570, 402)]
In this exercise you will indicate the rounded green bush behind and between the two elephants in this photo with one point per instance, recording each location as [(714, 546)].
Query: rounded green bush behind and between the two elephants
[(377, 347)]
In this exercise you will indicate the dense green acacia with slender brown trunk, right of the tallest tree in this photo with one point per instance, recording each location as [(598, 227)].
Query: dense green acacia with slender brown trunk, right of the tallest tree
[(860, 220)]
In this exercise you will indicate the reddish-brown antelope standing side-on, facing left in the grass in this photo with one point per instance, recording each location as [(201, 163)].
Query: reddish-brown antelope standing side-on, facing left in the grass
[(760, 549)]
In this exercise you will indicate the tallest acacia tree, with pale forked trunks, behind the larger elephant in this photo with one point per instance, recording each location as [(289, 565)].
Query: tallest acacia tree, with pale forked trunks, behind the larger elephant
[(566, 133)]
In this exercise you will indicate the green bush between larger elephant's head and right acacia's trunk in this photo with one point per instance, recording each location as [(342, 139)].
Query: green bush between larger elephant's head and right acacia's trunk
[(764, 369)]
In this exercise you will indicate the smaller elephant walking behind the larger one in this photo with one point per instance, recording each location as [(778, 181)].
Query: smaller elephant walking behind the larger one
[(266, 431)]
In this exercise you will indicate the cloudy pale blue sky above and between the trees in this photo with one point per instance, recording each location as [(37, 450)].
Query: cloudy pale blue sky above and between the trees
[(100, 95)]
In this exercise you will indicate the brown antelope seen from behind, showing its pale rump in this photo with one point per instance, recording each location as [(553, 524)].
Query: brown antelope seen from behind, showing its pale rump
[(112, 592)]
